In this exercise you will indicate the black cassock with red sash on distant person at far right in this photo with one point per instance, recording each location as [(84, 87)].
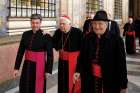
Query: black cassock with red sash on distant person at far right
[(130, 39)]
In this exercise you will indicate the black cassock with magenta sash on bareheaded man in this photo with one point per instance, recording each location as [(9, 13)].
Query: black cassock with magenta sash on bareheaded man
[(38, 60)]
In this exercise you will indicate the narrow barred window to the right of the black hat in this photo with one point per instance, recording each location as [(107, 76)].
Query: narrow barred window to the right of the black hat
[(118, 9)]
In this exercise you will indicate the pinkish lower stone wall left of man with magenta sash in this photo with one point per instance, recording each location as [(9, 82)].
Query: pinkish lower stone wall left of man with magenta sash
[(7, 59)]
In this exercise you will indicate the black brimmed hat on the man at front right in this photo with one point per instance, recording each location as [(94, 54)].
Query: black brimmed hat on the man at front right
[(101, 15)]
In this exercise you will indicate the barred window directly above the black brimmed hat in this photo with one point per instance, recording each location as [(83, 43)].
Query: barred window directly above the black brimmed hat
[(93, 6)]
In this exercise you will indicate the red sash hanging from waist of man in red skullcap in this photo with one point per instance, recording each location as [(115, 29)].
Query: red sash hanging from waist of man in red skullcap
[(71, 57)]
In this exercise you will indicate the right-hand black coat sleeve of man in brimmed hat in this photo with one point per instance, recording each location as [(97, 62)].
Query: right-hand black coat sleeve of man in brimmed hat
[(122, 64)]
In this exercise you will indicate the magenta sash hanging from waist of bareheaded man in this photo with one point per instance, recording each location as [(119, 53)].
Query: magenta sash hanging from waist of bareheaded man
[(39, 58)]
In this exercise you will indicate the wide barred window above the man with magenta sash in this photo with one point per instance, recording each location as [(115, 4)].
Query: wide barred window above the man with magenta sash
[(24, 8)]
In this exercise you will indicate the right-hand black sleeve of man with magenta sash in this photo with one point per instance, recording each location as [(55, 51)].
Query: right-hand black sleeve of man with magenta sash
[(49, 49)]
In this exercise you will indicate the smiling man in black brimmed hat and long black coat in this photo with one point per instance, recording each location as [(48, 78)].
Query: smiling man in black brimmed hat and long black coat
[(102, 61)]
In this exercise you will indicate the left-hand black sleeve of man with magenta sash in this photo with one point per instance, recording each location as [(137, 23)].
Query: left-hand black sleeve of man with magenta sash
[(20, 53)]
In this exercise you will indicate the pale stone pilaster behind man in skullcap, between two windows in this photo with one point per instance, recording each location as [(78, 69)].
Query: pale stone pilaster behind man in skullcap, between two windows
[(76, 9)]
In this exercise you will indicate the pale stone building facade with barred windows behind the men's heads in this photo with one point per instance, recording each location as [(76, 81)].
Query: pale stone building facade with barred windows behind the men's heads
[(18, 13)]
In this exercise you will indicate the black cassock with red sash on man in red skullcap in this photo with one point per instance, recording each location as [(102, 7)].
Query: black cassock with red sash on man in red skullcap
[(68, 45)]
